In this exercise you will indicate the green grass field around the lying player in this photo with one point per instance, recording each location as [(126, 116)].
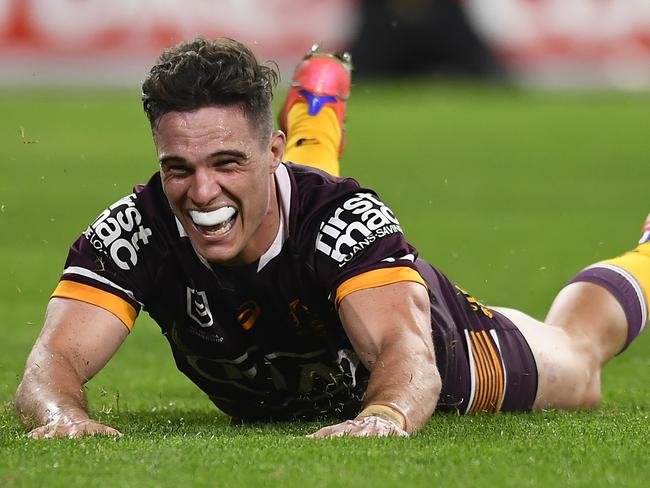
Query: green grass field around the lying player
[(509, 192)]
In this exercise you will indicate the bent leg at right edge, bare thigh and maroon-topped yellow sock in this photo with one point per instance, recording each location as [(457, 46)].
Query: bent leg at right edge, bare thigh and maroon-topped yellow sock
[(591, 320)]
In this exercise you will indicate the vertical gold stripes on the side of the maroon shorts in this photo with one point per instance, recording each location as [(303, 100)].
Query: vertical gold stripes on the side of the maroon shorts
[(489, 377)]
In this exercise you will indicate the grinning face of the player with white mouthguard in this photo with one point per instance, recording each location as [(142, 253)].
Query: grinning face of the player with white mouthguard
[(217, 172)]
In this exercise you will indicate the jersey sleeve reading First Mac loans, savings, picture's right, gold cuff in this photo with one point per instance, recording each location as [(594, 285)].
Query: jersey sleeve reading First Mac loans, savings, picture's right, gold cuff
[(359, 245)]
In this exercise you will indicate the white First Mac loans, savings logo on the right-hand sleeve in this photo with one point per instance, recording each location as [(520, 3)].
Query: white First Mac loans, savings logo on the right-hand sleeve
[(355, 225)]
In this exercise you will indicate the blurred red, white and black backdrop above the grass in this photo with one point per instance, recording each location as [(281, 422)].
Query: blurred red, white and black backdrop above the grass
[(550, 43)]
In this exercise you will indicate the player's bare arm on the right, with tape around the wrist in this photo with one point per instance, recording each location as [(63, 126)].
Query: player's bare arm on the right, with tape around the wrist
[(390, 329)]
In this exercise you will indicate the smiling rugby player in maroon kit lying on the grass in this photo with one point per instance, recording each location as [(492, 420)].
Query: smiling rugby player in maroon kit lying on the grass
[(286, 292)]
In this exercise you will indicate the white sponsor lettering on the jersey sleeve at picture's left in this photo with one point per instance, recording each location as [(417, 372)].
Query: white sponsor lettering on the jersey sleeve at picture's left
[(118, 232)]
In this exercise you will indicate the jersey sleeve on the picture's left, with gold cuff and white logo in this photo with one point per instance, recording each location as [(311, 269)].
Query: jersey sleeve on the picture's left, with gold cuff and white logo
[(106, 265)]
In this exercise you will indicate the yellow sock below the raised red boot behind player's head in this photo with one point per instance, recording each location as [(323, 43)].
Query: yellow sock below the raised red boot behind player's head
[(314, 140)]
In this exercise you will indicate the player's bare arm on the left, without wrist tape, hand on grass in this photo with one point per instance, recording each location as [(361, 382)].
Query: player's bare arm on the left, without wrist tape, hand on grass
[(77, 340)]
